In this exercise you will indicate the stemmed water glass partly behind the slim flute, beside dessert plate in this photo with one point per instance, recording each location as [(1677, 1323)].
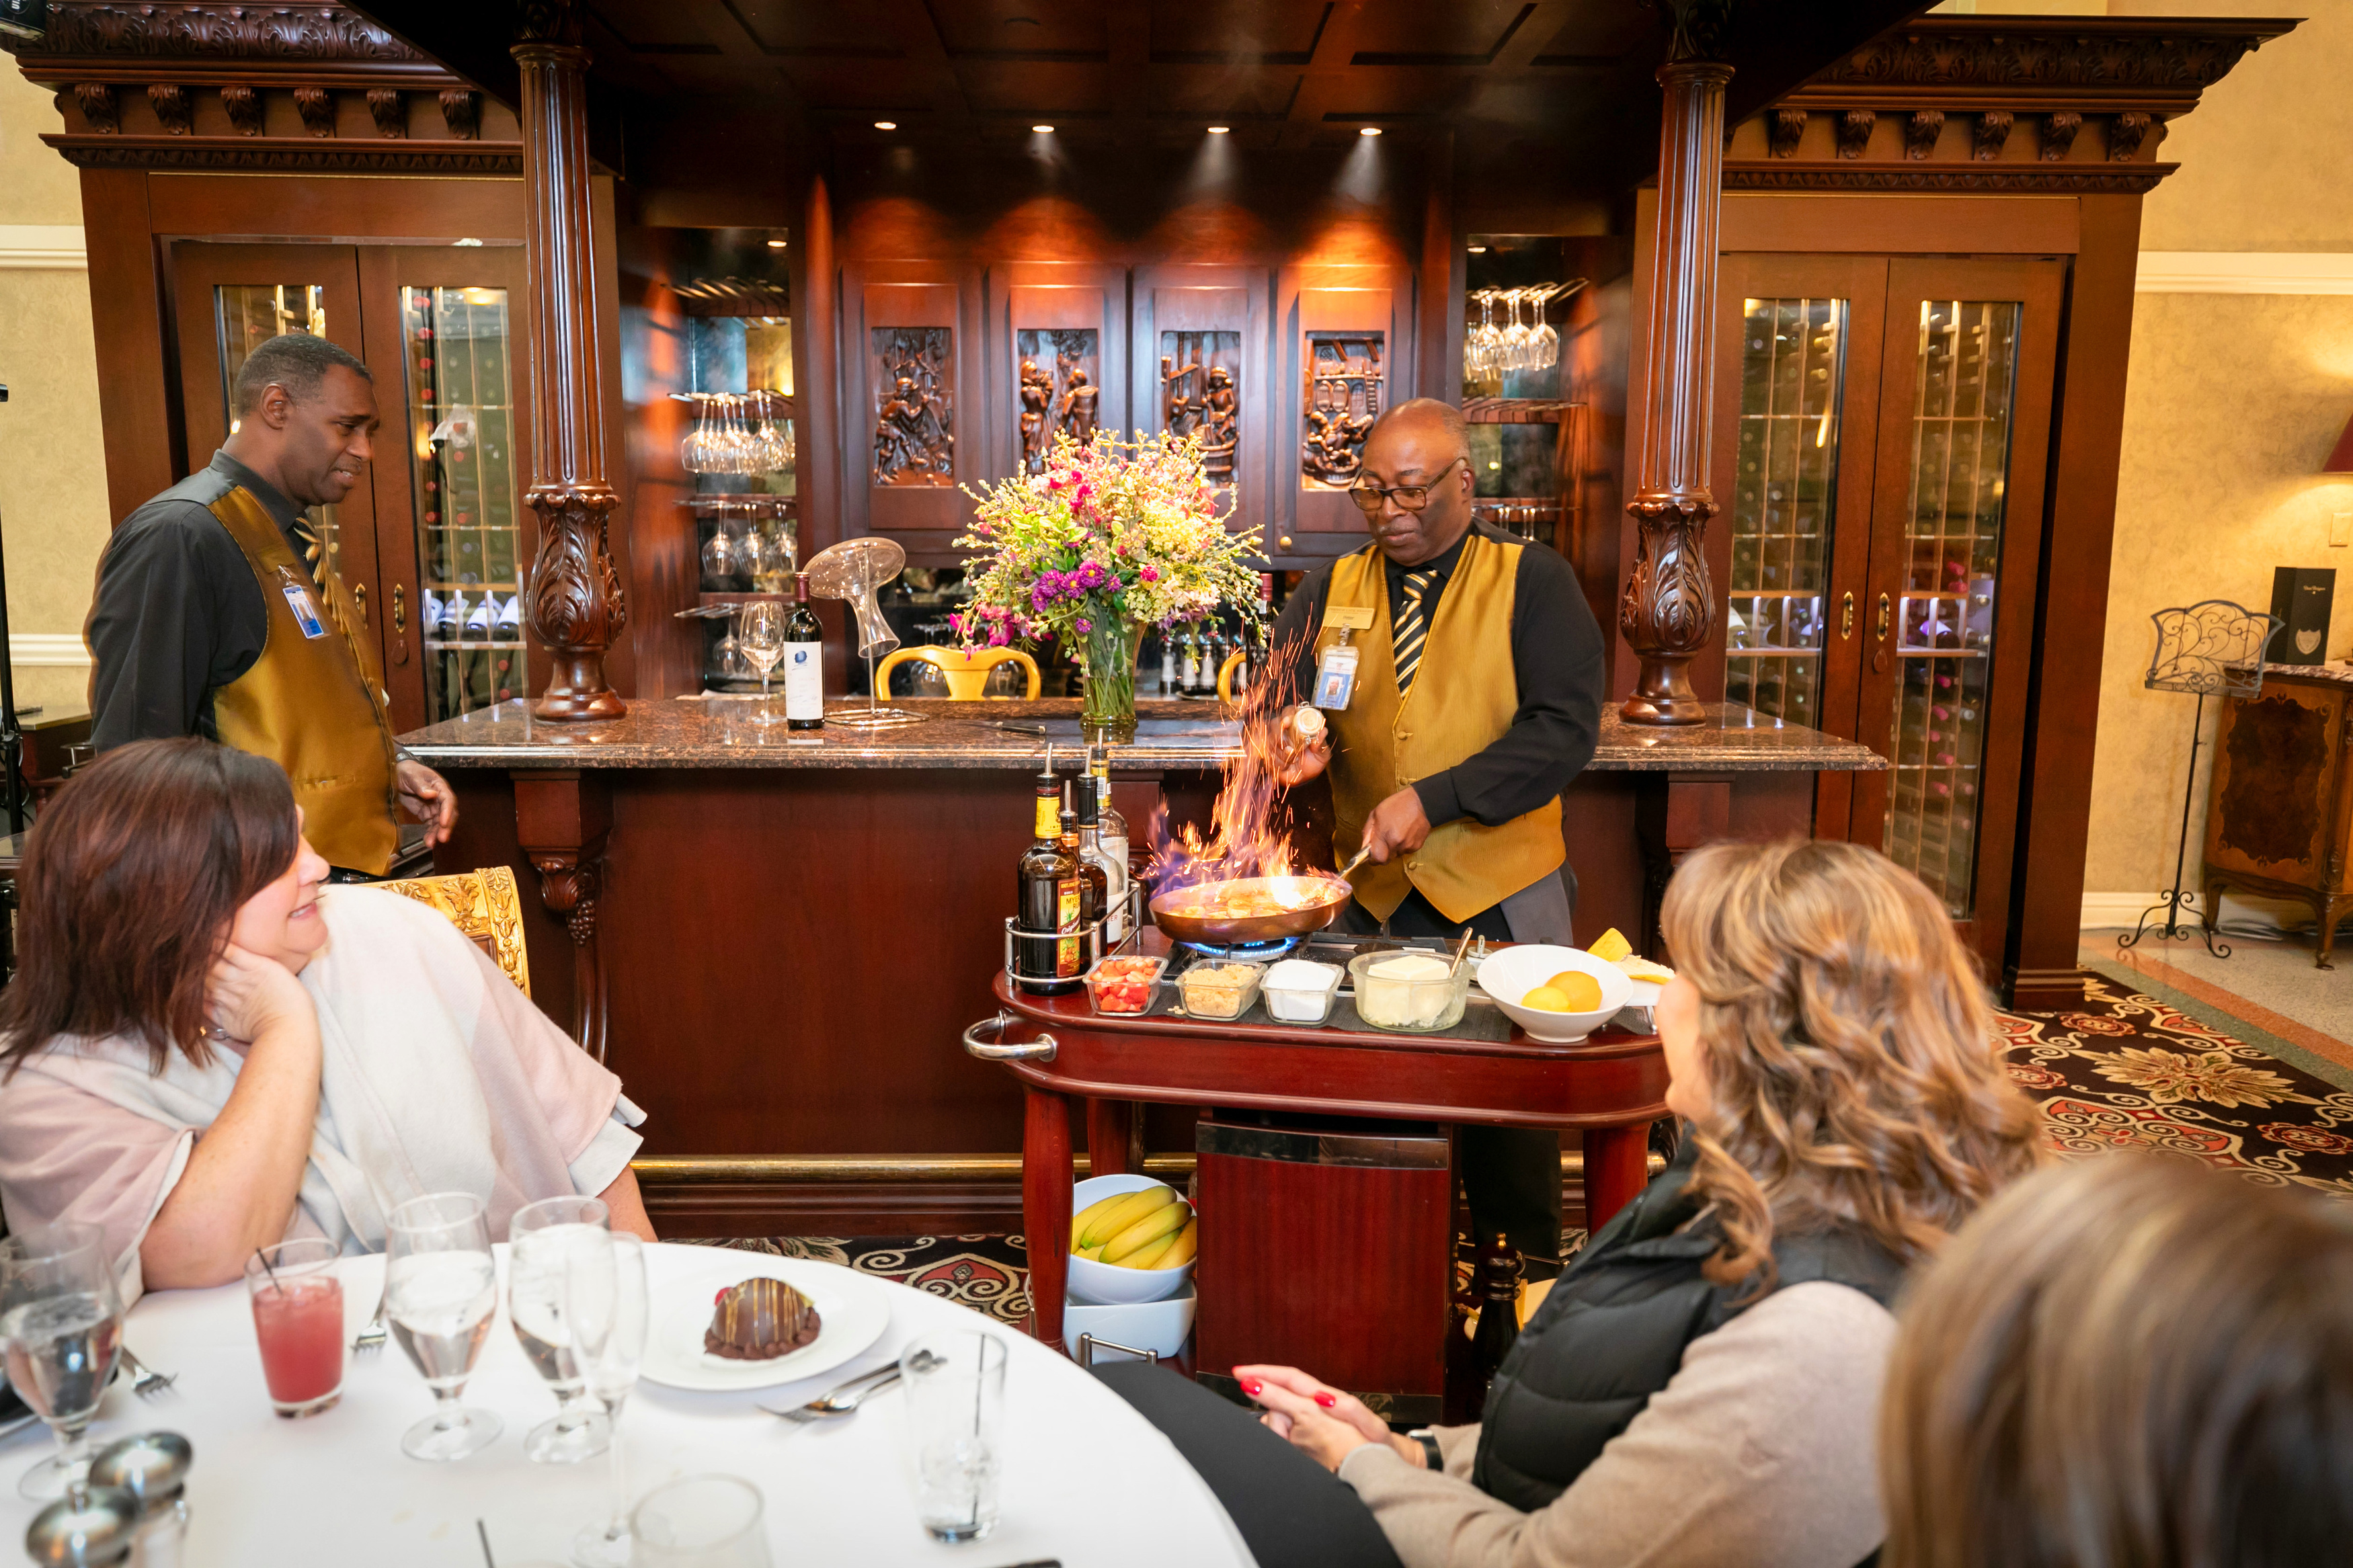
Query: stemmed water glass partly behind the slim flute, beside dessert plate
[(545, 1242)]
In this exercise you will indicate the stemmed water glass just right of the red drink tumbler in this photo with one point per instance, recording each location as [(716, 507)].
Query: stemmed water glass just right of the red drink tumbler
[(441, 1289)]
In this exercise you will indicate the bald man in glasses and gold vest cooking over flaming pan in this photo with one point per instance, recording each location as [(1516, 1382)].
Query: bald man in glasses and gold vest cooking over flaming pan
[(1460, 678)]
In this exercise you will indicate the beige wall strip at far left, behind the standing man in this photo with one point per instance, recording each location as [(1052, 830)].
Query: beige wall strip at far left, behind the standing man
[(53, 457)]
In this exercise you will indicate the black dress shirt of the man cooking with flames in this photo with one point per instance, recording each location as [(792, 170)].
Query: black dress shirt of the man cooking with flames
[(1557, 652)]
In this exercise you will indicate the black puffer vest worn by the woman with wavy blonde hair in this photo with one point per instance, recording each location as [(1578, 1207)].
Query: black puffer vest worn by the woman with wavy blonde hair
[(1615, 1327)]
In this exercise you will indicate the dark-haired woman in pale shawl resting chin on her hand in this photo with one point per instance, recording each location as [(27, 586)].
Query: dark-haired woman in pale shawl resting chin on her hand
[(208, 1052)]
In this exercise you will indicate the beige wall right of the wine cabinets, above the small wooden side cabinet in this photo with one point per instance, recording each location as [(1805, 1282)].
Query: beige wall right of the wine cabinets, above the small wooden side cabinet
[(2232, 406)]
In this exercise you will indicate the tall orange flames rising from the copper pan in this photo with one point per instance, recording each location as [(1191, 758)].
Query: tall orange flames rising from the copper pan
[(1246, 824)]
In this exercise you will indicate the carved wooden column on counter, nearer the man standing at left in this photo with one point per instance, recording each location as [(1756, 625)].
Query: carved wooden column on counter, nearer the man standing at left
[(575, 598)]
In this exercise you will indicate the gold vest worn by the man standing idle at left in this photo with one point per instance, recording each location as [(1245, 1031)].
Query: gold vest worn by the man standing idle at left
[(312, 704)]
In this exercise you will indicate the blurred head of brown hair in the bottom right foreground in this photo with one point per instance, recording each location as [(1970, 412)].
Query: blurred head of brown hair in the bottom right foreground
[(2128, 1362)]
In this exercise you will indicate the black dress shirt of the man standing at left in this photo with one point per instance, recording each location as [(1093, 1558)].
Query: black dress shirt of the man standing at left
[(180, 612)]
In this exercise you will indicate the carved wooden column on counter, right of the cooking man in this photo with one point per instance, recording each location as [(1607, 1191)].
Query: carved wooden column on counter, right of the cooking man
[(1669, 608)]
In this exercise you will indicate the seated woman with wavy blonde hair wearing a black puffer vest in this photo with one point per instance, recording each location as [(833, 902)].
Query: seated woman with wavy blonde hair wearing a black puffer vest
[(1702, 1383)]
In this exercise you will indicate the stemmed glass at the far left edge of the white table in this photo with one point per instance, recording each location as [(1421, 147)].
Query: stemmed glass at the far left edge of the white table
[(60, 1329)]
